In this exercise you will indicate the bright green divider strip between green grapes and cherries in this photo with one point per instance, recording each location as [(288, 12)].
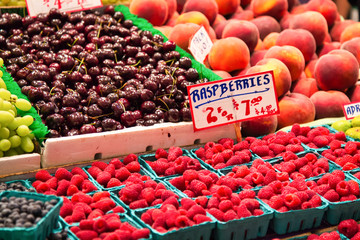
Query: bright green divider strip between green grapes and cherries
[(37, 127)]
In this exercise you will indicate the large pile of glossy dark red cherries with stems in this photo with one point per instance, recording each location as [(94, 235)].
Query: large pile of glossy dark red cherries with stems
[(92, 72)]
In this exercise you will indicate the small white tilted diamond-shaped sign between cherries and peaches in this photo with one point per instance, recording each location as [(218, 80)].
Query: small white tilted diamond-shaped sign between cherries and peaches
[(200, 45)]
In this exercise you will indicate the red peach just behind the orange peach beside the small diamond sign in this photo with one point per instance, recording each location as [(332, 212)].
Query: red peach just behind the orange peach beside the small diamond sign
[(243, 30)]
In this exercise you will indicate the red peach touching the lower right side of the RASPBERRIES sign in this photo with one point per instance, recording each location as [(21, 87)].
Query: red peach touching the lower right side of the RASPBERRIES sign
[(295, 108)]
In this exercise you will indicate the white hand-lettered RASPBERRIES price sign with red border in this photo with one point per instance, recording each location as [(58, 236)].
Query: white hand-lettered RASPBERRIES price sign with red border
[(232, 100)]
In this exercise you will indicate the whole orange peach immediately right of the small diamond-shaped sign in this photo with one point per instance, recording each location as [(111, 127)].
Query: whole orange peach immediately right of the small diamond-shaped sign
[(229, 54)]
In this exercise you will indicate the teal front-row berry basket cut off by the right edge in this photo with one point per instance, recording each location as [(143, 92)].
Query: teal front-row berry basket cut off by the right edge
[(338, 211)]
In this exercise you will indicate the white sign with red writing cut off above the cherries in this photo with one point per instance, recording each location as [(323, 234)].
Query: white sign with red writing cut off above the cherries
[(43, 6)]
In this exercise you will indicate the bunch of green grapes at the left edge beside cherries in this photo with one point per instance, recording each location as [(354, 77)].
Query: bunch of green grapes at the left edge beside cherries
[(15, 135)]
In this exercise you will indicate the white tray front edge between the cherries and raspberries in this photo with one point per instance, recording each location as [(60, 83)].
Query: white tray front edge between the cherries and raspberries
[(89, 147)]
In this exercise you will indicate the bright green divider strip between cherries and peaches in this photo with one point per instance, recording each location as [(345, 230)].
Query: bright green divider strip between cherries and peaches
[(143, 24)]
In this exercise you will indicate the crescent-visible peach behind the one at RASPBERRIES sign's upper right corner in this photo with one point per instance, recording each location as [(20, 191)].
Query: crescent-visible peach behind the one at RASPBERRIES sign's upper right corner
[(291, 57)]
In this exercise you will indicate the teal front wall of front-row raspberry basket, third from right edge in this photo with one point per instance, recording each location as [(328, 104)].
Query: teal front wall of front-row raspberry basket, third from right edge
[(245, 228)]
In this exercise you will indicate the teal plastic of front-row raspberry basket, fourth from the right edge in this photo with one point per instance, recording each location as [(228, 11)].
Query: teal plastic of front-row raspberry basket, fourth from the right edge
[(202, 231)]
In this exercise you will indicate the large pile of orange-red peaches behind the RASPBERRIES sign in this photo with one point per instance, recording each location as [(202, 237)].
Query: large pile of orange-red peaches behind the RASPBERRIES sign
[(314, 54)]
